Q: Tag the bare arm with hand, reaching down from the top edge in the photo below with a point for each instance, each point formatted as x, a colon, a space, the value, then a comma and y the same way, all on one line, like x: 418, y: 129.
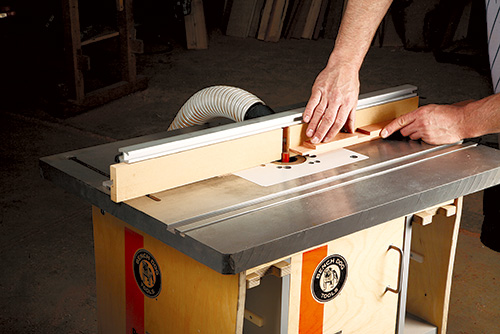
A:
x: 334, y: 94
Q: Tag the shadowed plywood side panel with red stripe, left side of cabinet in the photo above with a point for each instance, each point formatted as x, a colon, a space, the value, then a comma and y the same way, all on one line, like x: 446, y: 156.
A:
x: 192, y: 297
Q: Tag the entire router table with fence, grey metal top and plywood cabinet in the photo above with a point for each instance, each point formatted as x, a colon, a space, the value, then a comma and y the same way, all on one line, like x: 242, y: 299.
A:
x: 359, y: 238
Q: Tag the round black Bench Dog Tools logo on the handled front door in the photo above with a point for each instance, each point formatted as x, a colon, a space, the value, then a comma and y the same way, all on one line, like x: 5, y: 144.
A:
x: 329, y: 278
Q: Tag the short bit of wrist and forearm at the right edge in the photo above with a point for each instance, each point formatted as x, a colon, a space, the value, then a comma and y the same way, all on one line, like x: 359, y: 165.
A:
x: 481, y: 117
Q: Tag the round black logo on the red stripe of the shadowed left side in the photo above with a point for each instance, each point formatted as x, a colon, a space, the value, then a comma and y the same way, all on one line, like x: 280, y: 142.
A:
x: 147, y: 273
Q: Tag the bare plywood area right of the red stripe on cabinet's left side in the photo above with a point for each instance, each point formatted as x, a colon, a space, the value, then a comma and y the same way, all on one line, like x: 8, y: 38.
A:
x: 194, y: 299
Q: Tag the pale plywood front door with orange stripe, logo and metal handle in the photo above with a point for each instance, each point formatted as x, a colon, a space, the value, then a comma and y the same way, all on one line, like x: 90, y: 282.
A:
x: 340, y: 287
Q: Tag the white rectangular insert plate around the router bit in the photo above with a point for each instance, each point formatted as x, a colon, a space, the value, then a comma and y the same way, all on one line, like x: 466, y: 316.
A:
x: 271, y: 173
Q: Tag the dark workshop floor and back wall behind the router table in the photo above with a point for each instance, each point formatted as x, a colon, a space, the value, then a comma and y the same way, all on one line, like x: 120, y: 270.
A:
x: 75, y: 75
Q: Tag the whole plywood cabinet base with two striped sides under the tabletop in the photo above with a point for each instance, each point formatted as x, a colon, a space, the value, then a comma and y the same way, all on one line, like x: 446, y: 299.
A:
x: 343, y: 286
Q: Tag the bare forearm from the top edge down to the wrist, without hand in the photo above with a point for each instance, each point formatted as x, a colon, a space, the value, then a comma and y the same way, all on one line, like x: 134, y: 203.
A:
x: 359, y: 24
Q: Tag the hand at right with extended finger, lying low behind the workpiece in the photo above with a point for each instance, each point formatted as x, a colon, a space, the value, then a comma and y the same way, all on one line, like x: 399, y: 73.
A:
x: 434, y: 124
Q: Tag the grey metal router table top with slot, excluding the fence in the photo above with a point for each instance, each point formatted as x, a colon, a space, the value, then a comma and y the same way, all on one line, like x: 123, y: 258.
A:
x: 231, y: 224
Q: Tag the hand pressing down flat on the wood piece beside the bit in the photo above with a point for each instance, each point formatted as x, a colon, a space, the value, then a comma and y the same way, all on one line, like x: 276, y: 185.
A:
x: 332, y: 104
